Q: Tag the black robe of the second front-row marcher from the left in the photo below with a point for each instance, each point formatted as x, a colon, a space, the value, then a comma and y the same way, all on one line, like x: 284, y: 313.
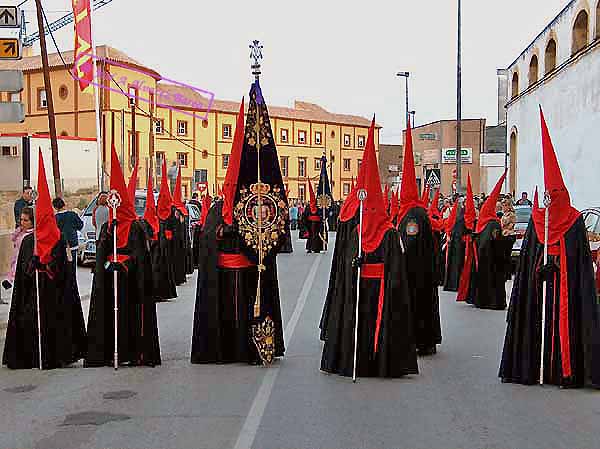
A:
x: 138, y: 327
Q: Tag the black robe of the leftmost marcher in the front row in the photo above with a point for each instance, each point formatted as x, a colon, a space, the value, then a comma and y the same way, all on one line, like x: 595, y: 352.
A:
x: 63, y: 340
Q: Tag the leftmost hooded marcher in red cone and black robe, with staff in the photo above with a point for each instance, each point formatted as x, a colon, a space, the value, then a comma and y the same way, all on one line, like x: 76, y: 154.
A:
x: 63, y: 340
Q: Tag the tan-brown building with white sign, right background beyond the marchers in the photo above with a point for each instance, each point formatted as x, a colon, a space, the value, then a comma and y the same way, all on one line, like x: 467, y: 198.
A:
x: 434, y: 146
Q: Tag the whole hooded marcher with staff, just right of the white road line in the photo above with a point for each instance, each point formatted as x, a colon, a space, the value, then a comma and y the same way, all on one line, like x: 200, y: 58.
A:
x: 386, y: 346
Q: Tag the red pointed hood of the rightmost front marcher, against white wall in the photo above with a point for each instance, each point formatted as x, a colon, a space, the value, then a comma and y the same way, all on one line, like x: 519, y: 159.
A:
x: 561, y: 215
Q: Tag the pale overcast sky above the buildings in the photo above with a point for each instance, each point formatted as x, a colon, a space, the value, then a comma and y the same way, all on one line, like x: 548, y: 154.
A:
x: 342, y: 55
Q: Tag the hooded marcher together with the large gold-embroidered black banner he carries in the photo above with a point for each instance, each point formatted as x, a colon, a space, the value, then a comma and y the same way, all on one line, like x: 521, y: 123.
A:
x: 230, y: 325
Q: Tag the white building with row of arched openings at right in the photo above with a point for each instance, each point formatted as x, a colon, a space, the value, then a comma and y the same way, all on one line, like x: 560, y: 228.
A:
x: 559, y: 70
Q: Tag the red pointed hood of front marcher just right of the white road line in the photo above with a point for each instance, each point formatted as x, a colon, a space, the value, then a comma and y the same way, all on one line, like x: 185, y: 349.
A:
x: 375, y: 219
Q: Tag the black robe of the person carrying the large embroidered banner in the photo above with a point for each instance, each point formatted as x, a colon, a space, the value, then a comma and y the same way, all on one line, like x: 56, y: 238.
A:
x: 223, y: 313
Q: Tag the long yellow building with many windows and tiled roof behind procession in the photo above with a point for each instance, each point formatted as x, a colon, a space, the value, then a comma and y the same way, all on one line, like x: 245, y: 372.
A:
x: 199, y: 140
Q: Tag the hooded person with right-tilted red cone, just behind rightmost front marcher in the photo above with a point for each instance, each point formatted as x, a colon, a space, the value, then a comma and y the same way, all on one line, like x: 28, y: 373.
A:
x: 488, y: 280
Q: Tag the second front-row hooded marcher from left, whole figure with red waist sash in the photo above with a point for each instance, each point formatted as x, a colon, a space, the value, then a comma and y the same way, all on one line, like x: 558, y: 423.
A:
x: 137, y: 326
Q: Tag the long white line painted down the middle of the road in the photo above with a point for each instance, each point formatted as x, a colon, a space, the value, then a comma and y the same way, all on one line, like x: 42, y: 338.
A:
x: 254, y: 418
